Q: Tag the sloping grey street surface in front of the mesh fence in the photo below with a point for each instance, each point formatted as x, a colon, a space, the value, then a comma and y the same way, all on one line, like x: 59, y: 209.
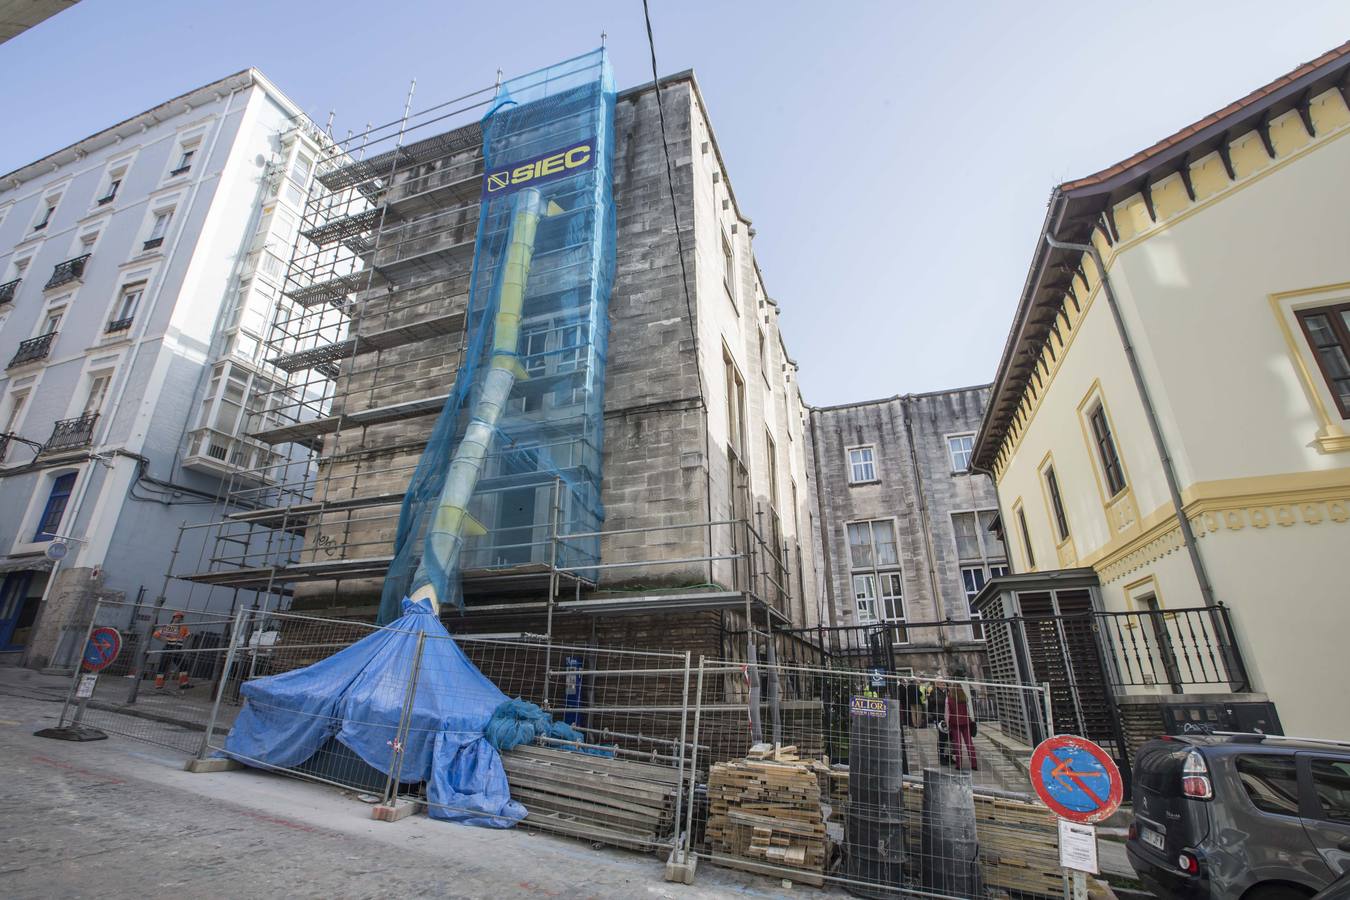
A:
x: 119, y: 818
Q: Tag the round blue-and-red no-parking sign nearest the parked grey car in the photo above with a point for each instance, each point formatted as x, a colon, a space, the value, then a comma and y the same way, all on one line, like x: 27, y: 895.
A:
x: 1077, y: 779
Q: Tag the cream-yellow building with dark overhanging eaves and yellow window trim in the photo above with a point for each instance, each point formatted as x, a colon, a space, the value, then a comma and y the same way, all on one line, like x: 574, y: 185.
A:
x: 1183, y: 342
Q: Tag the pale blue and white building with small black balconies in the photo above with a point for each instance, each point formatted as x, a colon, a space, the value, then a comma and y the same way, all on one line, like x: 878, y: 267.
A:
x: 140, y: 271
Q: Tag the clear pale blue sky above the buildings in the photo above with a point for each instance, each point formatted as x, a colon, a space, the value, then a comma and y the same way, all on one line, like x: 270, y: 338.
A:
x: 894, y: 157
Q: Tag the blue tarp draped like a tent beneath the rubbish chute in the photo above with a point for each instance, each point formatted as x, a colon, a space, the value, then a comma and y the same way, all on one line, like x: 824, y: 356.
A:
x: 357, y: 696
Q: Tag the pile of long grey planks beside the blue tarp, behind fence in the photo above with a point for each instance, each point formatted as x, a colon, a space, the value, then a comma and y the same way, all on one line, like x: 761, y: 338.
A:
x: 615, y: 802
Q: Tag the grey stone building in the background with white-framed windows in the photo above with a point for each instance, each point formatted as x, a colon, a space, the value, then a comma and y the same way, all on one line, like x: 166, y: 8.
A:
x: 905, y: 524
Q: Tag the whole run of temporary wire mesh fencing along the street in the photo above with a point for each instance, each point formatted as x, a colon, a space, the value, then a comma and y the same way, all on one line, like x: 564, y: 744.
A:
x: 855, y: 778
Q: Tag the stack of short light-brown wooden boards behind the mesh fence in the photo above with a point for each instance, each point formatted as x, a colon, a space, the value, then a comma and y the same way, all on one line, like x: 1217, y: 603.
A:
x: 765, y: 814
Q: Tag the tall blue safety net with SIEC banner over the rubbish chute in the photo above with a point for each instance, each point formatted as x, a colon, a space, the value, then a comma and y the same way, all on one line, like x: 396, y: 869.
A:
x: 518, y: 446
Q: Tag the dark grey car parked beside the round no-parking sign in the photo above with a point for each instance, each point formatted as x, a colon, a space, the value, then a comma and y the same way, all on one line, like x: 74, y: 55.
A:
x: 1241, y: 817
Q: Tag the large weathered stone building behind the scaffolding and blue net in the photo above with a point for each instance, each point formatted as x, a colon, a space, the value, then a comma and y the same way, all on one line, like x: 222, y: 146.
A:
x: 705, y: 484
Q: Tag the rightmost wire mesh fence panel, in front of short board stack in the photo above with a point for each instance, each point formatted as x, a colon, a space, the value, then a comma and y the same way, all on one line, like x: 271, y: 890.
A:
x: 878, y: 783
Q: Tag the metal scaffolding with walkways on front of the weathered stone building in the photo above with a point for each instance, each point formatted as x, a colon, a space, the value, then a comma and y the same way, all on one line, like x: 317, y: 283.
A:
x: 371, y: 333
